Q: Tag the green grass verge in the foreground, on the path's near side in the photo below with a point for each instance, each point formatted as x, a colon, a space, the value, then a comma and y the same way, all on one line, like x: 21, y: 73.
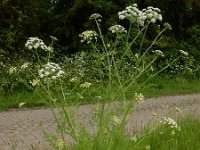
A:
x: 167, y: 134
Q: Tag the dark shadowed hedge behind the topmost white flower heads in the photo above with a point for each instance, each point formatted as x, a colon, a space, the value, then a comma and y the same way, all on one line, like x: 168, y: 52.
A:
x: 65, y: 19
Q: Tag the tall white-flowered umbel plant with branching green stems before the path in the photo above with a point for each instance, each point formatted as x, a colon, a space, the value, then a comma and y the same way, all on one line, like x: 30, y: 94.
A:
x: 115, y: 82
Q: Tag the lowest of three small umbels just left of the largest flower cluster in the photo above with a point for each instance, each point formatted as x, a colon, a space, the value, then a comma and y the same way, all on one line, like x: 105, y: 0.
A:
x: 88, y: 36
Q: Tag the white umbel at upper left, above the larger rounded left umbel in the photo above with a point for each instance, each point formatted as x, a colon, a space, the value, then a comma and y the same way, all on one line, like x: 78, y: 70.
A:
x: 35, y: 43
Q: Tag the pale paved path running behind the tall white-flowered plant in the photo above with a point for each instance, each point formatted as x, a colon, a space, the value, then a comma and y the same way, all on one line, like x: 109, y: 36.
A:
x: 23, y: 129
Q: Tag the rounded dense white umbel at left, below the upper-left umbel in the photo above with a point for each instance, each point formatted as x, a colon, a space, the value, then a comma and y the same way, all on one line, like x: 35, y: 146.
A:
x: 51, y: 71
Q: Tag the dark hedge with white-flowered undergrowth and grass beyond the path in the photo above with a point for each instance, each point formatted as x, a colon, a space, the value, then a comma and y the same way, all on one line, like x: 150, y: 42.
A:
x: 66, y: 19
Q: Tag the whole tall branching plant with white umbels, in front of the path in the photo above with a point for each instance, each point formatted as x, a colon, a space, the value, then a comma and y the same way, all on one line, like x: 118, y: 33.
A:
x: 51, y: 73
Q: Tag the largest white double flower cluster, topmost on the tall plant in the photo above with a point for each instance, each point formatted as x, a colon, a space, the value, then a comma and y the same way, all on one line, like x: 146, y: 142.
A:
x: 132, y: 13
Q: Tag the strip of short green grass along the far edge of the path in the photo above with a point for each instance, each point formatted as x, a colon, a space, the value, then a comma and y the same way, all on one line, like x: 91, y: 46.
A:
x: 156, y: 87
